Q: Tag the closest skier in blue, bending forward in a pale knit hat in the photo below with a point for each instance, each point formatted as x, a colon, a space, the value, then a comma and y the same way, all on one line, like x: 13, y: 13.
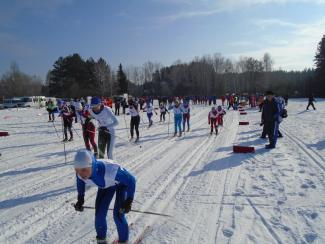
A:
x: 110, y: 178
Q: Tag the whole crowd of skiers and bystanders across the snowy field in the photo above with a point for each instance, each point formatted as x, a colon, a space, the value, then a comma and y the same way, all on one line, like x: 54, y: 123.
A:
x: 110, y: 177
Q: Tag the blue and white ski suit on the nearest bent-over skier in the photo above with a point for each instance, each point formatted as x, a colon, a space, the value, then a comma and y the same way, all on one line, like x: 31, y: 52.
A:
x: 110, y: 178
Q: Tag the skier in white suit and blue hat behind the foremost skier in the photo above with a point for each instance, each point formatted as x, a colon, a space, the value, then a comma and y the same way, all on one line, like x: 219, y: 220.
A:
x: 106, y: 132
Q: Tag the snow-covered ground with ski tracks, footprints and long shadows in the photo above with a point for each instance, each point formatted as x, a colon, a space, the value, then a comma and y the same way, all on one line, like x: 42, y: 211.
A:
x: 213, y: 195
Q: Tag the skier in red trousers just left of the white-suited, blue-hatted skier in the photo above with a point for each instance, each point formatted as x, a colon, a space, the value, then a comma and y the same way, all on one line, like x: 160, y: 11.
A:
x: 88, y: 128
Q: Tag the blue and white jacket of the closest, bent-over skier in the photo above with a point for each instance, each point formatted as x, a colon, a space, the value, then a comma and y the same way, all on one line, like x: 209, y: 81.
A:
x: 105, y: 174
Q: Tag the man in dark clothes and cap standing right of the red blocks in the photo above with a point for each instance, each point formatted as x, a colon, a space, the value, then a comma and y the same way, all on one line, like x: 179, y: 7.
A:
x: 271, y: 119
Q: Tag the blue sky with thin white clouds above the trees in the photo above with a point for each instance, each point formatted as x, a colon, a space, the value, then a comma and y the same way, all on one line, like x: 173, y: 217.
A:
x: 34, y: 33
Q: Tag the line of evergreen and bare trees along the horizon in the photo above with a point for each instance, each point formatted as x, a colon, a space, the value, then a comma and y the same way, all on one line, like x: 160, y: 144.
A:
x: 73, y: 76
